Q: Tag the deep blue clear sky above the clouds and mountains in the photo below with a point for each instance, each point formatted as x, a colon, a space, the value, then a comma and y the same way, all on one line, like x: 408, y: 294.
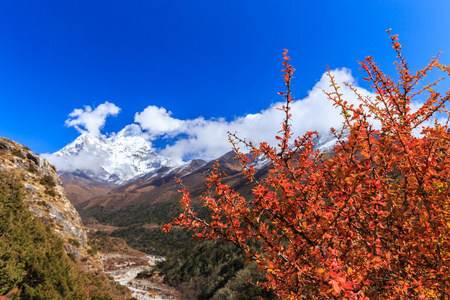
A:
x: 190, y: 61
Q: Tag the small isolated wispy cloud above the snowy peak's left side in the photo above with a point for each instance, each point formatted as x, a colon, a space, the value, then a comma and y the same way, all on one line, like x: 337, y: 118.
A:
x: 91, y: 120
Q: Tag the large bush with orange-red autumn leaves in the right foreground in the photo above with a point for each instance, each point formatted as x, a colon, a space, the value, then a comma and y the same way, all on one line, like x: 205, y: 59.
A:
x: 371, y: 222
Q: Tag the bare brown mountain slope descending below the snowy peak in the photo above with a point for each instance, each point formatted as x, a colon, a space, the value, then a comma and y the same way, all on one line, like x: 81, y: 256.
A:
x: 159, y: 189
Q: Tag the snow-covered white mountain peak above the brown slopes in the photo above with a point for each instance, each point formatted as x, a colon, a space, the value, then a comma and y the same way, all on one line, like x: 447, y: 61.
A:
x: 116, y: 159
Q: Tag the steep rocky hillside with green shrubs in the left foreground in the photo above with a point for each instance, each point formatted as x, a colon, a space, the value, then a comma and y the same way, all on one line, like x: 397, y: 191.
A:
x: 44, y: 251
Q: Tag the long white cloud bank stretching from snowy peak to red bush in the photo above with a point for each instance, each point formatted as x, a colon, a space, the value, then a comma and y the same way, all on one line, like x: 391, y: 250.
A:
x: 208, y: 139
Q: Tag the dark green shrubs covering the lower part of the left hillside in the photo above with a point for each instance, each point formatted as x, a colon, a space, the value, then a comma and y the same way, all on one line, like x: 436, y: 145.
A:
x: 33, y: 263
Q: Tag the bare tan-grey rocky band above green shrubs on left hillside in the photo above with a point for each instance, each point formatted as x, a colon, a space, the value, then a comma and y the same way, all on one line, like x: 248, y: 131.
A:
x: 45, y: 196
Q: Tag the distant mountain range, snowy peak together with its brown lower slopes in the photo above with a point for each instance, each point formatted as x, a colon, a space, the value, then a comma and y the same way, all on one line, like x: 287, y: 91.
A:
x: 112, y: 175
